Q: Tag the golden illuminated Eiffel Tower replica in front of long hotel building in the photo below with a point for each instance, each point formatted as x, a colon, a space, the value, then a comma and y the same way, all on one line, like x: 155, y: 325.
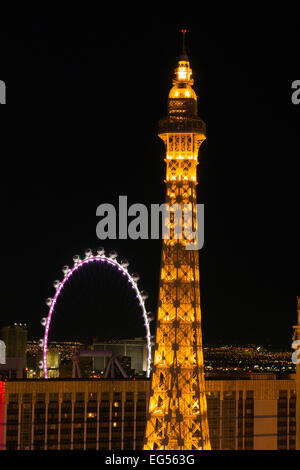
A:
x: 177, y: 414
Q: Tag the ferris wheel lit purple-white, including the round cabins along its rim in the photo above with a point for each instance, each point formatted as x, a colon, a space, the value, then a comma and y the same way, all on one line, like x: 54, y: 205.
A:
x: 81, y: 264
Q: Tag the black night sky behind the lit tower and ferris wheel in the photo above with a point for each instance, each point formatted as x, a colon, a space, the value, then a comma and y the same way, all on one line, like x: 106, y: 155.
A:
x: 85, y: 91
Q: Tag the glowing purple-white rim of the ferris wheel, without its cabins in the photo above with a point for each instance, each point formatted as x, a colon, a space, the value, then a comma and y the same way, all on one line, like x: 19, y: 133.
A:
x: 68, y: 274
